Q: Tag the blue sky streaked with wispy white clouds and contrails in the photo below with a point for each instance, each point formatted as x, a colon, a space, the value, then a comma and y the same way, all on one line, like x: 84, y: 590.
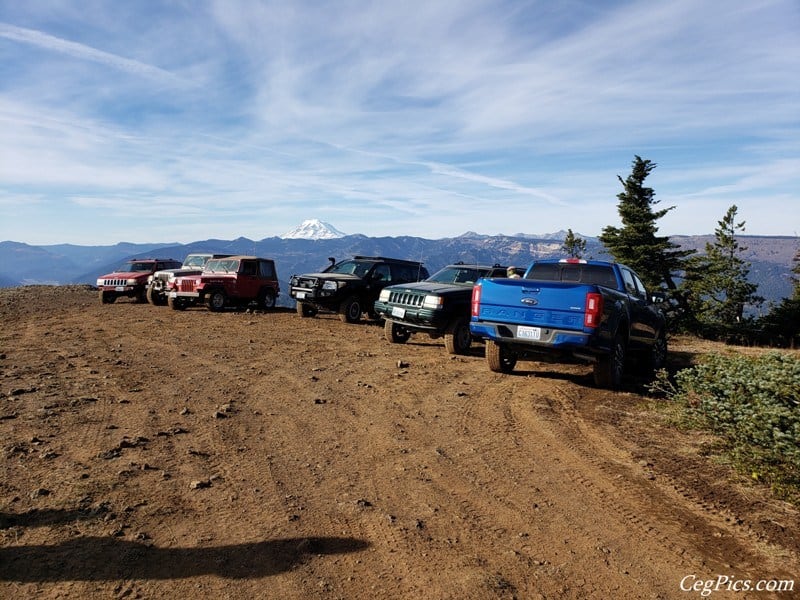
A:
x: 184, y: 120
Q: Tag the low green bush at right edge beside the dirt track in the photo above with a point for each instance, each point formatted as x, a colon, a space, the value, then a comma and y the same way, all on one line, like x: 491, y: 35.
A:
x: 753, y: 405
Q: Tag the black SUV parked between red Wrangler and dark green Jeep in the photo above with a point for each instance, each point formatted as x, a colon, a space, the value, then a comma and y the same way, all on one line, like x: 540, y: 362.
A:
x: 350, y: 287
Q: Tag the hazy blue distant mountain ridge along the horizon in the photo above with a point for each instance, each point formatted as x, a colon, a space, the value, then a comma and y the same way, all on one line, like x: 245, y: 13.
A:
x: 23, y: 264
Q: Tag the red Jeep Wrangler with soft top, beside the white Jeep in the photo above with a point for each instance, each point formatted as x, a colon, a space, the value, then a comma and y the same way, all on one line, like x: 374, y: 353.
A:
x: 231, y: 281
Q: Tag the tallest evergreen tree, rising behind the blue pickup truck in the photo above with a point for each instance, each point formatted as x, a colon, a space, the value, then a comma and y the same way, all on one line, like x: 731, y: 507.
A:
x: 655, y: 258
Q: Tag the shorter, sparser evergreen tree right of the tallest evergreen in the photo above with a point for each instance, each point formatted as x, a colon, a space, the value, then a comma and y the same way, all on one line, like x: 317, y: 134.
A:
x: 716, y: 282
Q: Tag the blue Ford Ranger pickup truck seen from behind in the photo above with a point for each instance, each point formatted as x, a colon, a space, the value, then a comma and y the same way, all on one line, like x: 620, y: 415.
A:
x: 595, y: 311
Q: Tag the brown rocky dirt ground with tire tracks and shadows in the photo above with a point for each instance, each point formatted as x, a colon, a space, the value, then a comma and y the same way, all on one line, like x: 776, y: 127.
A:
x: 148, y: 453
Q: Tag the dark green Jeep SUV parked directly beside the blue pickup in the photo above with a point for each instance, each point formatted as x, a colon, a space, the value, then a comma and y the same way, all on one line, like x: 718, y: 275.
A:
x: 438, y: 306
